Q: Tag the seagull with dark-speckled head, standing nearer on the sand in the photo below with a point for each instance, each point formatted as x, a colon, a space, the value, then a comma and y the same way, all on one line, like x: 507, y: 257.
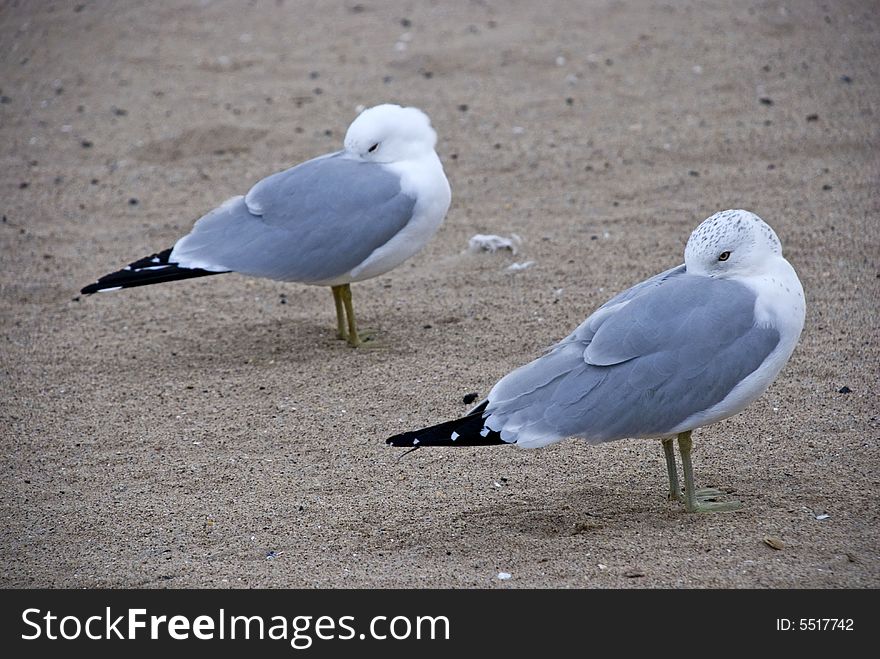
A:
x: 684, y: 349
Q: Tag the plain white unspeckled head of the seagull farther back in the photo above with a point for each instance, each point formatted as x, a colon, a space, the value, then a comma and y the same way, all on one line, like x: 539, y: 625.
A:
x: 389, y: 133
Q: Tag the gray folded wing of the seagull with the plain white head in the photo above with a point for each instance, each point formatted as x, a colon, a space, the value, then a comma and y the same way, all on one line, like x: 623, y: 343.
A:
x: 310, y: 223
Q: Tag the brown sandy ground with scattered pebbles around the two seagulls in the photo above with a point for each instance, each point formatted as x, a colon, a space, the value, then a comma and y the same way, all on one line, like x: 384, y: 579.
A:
x: 214, y: 433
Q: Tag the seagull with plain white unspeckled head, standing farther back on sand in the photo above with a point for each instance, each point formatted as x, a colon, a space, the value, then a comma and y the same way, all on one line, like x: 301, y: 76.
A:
x: 340, y: 218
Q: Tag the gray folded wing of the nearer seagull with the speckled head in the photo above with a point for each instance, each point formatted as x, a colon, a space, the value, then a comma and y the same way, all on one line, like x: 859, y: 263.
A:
x: 639, y: 367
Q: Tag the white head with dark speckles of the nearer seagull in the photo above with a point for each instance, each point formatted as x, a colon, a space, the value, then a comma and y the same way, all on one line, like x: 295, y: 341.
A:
x: 732, y: 242
